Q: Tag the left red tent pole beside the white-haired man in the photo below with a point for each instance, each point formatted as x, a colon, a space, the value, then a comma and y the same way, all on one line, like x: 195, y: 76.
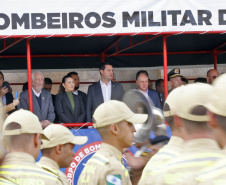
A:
x: 29, y: 75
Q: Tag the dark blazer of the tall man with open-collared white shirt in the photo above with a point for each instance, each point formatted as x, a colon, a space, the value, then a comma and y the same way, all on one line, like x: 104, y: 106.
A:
x: 95, y: 97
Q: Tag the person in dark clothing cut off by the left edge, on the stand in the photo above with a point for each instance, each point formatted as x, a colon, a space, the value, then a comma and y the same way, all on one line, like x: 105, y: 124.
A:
x: 5, y: 96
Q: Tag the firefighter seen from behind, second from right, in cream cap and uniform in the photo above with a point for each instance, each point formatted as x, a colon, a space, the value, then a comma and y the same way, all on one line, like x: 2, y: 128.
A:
x: 200, y: 148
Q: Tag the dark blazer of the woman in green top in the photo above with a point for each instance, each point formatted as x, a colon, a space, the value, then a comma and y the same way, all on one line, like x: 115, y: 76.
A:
x: 64, y: 109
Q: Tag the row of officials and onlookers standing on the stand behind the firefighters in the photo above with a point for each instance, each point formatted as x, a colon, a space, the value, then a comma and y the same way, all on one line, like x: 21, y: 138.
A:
x: 71, y: 105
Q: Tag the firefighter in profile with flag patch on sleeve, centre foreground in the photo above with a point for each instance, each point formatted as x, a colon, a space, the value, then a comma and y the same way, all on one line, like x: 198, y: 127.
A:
x: 114, y: 122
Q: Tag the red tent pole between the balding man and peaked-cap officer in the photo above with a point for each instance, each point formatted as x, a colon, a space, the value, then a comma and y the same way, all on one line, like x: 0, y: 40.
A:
x: 165, y: 66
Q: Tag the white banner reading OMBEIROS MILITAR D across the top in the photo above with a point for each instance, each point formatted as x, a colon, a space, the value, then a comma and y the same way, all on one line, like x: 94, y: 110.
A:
x: 84, y: 17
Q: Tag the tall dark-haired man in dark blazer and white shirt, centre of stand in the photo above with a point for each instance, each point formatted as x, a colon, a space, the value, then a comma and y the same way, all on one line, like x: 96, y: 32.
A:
x: 103, y: 90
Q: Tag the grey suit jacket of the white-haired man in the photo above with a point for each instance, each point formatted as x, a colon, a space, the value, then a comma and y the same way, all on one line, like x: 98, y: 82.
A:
x: 47, y: 111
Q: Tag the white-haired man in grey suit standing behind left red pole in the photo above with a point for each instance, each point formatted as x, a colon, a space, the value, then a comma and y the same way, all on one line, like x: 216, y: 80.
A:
x: 42, y: 100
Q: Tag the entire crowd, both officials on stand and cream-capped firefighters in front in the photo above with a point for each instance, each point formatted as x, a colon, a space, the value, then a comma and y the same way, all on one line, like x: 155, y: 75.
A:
x: 195, y: 113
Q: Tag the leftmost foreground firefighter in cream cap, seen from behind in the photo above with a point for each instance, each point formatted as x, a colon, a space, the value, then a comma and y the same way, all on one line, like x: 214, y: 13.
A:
x: 22, y: 134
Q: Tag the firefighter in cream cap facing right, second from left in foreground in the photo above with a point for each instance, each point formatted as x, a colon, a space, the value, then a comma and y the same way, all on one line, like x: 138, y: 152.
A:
x: 57, y: 152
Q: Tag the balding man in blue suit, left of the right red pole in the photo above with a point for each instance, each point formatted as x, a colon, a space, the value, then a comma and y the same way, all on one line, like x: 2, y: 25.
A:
x: 142, y: 85
